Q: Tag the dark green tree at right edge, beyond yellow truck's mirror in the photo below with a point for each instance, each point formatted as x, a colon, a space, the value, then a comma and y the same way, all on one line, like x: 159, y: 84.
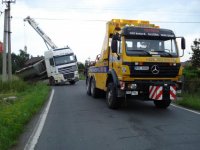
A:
x: 195, y: 59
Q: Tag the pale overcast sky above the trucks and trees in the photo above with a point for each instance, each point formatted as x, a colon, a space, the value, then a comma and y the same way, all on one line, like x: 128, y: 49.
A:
x: 81, y: 24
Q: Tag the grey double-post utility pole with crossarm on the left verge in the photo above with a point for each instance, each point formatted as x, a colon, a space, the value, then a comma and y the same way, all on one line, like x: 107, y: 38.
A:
x: 7, y: 42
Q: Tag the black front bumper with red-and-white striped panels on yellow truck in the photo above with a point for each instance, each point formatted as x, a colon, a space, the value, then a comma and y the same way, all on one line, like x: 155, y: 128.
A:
x: 142, y: 89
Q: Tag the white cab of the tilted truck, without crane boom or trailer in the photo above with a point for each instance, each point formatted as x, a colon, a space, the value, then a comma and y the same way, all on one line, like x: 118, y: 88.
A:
x: 61, y: 66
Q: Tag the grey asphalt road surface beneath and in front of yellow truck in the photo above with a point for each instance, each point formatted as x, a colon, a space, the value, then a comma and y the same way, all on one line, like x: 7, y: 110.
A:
x: 77, y: 121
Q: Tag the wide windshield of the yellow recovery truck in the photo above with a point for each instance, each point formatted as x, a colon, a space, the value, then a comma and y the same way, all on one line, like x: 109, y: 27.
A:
x: 144, y: 47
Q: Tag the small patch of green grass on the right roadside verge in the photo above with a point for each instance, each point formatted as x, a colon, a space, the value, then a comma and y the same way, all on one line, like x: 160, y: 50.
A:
x: 190, y: 101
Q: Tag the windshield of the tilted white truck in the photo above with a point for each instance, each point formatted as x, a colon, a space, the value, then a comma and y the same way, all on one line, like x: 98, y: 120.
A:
x: 65, y: 59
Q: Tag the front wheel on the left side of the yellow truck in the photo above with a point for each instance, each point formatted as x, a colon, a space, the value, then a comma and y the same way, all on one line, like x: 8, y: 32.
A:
x: 111, y: 97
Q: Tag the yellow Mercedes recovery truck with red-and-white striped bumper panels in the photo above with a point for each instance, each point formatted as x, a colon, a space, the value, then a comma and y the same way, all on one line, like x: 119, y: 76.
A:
x: 138, y: 60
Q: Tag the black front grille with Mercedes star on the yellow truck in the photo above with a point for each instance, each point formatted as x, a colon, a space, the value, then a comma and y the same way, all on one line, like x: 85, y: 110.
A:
x: 165, y: 70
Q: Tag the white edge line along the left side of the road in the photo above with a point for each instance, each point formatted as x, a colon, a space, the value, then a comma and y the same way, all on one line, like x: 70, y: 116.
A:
x: 33, y: 139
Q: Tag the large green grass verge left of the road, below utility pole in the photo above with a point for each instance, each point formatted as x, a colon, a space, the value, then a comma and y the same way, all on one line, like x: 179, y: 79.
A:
x: 15, y: 115
